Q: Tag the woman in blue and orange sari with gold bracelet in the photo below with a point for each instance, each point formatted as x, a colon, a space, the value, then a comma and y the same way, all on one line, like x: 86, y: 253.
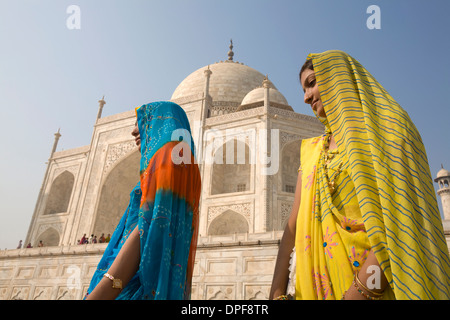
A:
x: 152, y: 251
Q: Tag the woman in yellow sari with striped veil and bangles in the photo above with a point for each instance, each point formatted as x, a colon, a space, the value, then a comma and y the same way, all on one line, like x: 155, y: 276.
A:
x: 365, y: 222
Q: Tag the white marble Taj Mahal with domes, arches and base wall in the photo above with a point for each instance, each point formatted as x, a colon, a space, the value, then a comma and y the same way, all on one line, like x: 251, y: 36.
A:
x: 248, y: 141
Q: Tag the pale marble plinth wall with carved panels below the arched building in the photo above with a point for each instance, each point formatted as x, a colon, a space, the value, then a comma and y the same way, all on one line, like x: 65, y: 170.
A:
x: 227, y: 267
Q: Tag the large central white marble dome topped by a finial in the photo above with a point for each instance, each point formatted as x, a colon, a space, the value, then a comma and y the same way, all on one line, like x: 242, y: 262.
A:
x: 230, y: 81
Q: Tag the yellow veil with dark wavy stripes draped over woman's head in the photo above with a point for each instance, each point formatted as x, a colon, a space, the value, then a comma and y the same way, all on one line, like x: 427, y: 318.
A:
x: 389, y: 168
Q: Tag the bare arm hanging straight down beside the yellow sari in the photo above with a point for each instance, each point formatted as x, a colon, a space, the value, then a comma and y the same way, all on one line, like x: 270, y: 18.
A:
x: 281, y: 273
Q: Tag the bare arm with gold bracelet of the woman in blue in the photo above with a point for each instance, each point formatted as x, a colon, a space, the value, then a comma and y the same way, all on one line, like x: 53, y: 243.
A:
x: 124, y: 268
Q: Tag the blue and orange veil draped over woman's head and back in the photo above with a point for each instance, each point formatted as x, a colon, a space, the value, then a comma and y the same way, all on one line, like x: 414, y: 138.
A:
x: 168, y: 217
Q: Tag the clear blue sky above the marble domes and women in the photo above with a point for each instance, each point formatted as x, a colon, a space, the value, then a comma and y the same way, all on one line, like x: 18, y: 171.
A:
x: 135, y: 52
